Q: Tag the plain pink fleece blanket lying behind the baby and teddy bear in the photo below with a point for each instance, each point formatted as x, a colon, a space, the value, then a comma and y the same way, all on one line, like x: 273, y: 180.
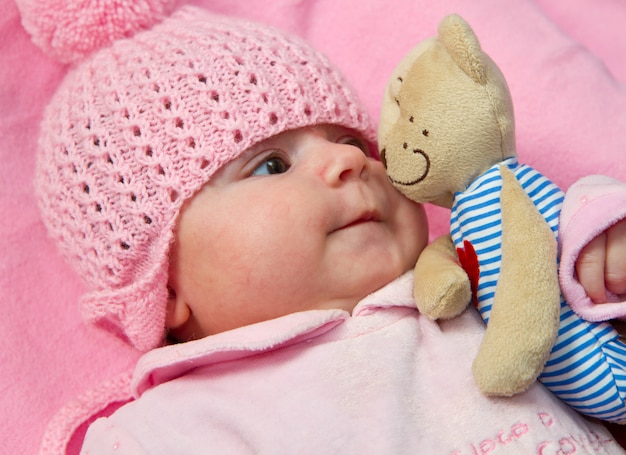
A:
x: 565, y: 61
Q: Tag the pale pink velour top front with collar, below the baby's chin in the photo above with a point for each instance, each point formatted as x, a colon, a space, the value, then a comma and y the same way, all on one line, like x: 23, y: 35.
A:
x: 384, y: 380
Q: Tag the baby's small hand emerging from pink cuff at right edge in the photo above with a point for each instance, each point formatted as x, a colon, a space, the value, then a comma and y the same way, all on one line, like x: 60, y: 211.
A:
x: 601, y: 265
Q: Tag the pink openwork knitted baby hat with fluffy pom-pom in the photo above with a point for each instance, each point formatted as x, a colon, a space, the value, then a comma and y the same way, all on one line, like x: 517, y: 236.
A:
x: 142, y: 121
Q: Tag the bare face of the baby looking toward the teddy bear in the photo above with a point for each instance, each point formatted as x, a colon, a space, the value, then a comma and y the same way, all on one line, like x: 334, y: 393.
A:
x: 304, y: 220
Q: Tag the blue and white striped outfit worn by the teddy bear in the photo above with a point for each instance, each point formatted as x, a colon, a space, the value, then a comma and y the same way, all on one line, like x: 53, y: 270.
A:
x: 587, y: 366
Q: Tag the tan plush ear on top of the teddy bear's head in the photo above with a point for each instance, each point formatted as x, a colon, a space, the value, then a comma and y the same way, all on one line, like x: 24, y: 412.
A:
x: 461, y: 43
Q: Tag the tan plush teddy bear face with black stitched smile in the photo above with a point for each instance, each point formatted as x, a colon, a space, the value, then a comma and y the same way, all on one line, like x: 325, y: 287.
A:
x: 439, y: 128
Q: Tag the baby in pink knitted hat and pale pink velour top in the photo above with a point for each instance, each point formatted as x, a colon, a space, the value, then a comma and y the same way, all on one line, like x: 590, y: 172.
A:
x: 215, y: 183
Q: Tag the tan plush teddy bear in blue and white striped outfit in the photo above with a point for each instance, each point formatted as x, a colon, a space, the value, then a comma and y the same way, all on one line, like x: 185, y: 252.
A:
x: 447, y: 137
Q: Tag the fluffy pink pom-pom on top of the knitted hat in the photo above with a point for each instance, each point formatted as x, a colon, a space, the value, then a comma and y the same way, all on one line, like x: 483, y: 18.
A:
x: 69, y: 30
